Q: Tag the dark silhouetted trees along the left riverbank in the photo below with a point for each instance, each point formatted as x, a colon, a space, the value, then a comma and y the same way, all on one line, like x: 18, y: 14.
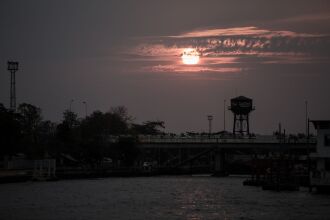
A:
x: 85, y: 139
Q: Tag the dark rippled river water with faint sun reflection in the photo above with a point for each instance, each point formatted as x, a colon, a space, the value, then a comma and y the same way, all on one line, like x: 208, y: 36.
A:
x: 158, y: 198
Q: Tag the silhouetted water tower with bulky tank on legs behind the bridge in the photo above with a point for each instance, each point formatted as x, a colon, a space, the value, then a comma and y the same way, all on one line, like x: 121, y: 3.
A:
x: 241, y: 107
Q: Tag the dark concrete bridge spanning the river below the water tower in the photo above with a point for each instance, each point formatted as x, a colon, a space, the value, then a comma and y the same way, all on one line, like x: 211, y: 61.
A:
x: 175, y: 152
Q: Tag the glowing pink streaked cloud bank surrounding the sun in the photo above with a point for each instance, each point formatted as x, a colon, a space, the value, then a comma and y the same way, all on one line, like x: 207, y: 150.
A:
x: 228, y: 50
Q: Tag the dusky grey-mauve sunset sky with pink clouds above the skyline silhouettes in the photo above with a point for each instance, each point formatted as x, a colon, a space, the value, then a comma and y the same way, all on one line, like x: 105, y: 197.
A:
x: 129, y: 52
